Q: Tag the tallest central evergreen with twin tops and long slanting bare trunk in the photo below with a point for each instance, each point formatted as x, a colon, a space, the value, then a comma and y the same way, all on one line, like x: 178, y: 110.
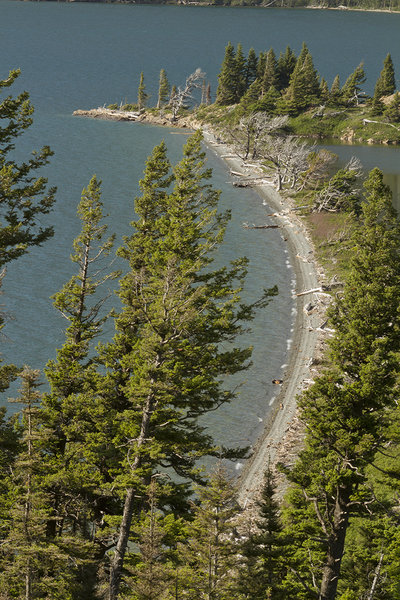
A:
x: 167, y: 355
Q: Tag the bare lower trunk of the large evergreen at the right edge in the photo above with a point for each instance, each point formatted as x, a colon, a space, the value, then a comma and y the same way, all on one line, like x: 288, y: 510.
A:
x: 331, y: 570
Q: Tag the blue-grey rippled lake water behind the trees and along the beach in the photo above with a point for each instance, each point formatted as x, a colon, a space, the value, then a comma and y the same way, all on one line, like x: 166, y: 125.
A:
x: 81, y: 55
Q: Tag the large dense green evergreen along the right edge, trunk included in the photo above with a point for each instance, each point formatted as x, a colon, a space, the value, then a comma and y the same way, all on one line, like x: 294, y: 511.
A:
x: 347, y: 410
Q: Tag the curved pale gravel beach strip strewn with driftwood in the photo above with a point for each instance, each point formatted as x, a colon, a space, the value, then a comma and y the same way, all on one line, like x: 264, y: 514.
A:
x: 280, y: 438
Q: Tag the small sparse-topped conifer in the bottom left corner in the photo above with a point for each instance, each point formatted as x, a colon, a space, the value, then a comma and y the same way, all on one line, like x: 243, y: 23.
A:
x: 34, y: 565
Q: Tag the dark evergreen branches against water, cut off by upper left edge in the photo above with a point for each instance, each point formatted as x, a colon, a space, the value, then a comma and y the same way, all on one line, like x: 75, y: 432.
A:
x: 24, y: 197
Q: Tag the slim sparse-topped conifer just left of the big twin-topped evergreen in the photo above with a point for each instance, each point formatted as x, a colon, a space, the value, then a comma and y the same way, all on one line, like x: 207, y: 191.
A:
x: 75, y: 472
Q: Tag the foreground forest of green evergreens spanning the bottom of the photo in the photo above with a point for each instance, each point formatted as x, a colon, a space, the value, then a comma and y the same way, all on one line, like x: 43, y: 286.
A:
x: 101, y: 490
